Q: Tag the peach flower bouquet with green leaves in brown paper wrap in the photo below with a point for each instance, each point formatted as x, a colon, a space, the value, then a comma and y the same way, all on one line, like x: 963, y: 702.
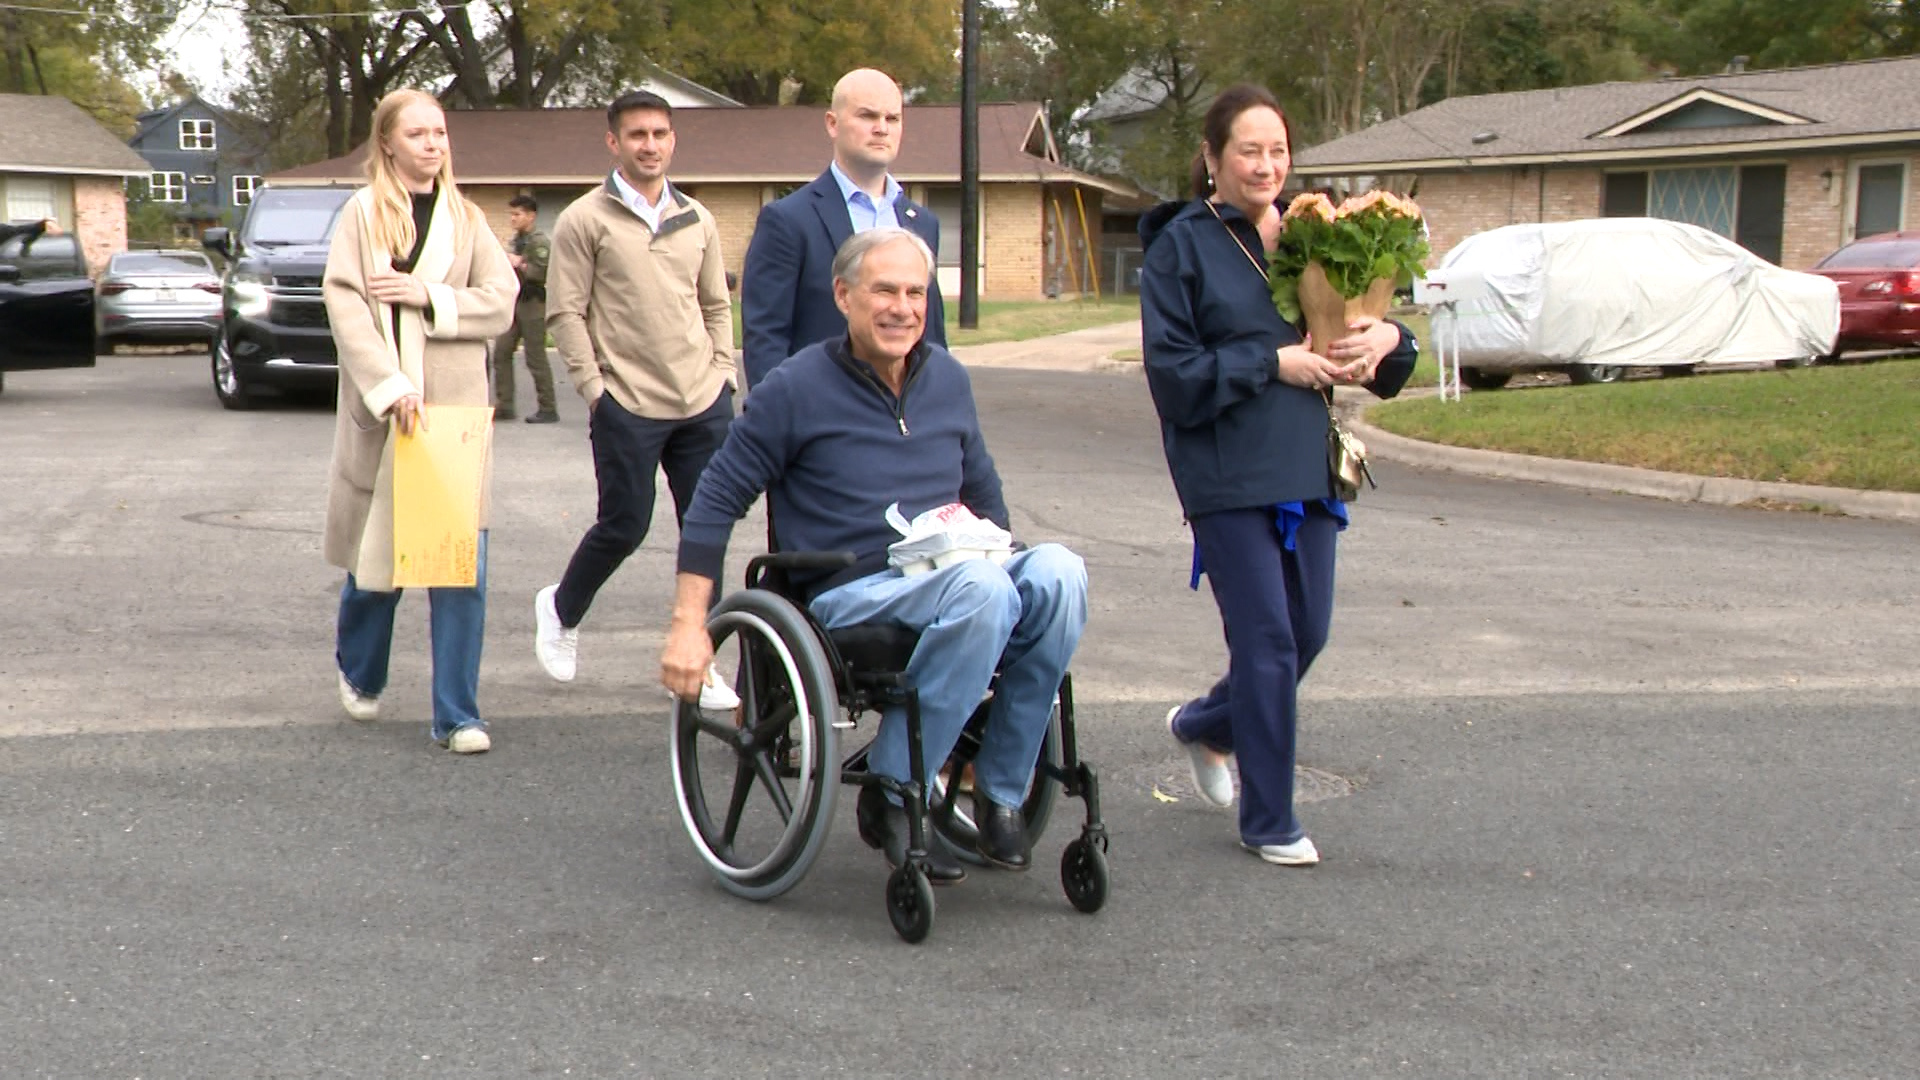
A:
x: 1337, y: 264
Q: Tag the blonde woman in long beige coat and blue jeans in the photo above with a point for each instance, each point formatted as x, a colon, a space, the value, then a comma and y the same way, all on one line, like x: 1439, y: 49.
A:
x: 416, y: 289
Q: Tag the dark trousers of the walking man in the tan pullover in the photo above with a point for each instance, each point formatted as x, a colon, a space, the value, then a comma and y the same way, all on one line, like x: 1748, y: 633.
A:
x: 629, y: 453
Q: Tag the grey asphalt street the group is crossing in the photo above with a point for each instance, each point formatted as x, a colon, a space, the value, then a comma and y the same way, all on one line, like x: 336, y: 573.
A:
x: 1606, y: 787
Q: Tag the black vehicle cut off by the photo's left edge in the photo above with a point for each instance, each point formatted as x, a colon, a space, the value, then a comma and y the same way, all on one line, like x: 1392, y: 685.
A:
x: 47, y: 305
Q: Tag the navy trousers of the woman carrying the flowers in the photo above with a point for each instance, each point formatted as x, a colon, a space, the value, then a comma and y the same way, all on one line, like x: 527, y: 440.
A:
x: 1276, y: 608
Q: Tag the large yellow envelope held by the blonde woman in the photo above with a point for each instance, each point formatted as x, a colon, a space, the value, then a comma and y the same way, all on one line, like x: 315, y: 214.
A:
x: 439, y: 474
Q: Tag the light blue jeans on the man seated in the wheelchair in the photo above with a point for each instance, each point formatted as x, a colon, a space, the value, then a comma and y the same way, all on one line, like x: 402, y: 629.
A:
x: 1024, y: 618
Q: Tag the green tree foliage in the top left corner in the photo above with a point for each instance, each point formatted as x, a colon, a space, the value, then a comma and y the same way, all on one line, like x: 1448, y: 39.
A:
x: 82, y: 59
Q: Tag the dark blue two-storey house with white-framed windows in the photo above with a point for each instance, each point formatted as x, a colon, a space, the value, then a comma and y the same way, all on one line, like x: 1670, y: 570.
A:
x: 204, y: 162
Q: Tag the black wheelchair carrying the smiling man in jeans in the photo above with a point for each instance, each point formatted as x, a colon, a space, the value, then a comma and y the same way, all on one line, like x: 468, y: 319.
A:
x: 757, y: 789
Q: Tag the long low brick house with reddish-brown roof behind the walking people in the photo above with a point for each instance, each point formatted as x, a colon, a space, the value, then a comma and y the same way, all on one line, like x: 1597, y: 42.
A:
x: 1040, y: 220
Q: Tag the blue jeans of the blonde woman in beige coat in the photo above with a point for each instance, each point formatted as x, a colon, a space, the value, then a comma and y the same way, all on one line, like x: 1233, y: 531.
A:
x: 366, y: 639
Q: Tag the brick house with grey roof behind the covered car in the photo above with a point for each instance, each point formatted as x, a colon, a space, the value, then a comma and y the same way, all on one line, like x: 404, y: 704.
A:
x: 1790, y: 164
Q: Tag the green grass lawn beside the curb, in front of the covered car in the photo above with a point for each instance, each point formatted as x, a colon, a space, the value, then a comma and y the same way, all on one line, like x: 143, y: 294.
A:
x: 1848, y: 426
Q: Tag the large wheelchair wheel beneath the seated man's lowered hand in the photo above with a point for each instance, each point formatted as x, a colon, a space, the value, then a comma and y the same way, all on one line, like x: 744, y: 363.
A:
x: 757, y: 787
